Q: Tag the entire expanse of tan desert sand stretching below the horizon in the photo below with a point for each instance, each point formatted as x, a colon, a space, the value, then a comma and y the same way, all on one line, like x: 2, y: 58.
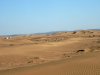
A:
x: 62, y: 53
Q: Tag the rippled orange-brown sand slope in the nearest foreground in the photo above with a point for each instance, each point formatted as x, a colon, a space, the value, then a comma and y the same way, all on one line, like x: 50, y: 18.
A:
x: 86, y: 64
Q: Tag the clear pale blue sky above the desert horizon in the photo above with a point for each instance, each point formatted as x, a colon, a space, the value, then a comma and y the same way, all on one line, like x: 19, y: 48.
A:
x: 34, y: 16
